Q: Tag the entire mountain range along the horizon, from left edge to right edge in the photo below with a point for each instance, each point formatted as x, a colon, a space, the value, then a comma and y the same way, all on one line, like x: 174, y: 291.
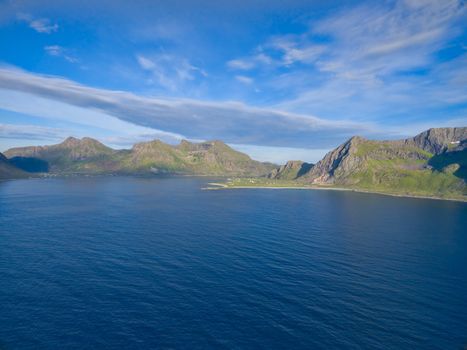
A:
x: 433, y: 163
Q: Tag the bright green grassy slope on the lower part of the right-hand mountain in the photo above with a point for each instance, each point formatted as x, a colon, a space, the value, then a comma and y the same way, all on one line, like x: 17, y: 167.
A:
x: 402, y: 169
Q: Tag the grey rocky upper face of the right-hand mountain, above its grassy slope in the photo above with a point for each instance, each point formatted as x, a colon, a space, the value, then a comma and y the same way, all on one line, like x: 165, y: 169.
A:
x: 359, y: 160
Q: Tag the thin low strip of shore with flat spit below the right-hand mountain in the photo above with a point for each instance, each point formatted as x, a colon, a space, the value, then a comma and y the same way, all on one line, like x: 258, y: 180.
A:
x: 227, y: 187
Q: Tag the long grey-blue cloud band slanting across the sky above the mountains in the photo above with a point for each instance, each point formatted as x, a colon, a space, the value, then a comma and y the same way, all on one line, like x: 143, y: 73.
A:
x: 231, y: 121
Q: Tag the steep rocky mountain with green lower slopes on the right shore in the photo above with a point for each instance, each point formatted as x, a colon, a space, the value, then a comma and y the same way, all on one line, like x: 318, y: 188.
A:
x: 433, y: 163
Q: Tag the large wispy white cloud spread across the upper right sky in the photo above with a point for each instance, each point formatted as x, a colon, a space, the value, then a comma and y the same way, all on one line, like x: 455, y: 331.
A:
x: 378, y: 61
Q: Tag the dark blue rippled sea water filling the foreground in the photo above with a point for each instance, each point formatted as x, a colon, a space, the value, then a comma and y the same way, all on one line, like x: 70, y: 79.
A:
x: 158, y: 263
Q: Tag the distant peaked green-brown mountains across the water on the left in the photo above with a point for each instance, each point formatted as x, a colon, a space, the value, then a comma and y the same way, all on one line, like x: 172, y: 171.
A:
x: 89, y: 156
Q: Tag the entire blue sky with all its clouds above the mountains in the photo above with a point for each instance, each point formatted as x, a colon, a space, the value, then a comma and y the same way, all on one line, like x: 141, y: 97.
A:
x: 278, y: 80
